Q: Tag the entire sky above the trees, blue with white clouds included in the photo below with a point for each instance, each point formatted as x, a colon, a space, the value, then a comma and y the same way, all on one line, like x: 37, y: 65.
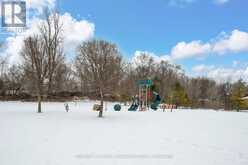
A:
x: 206, y: 37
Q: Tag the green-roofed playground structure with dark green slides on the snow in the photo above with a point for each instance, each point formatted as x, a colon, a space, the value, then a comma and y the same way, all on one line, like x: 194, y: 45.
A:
x: 143, y: 101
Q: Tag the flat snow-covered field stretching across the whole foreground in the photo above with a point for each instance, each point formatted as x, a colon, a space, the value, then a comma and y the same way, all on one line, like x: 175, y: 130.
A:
x: 183, y: 137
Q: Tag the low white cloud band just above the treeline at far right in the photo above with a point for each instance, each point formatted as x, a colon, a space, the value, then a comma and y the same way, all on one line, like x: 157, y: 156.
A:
x: 221, y: 74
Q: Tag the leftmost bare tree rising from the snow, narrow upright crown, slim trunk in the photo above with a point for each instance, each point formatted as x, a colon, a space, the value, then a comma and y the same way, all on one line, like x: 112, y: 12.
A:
x: 35, y: 63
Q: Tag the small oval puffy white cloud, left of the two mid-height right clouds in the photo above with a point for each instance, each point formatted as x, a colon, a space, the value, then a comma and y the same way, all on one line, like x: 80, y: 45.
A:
x: 186, y: 50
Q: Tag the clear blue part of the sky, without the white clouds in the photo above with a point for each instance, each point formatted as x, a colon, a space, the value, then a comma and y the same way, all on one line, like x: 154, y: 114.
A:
x: 157, y: 25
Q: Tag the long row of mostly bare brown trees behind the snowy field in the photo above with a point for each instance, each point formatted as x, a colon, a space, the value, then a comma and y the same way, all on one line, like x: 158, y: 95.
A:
x: 99, y: 71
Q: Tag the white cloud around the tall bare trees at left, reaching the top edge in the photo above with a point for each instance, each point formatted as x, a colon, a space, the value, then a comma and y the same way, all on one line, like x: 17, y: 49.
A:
x: 74, y: 31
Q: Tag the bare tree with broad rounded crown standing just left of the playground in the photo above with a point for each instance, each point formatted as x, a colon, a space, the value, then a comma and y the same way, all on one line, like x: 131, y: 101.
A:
x: 100, y: 64
